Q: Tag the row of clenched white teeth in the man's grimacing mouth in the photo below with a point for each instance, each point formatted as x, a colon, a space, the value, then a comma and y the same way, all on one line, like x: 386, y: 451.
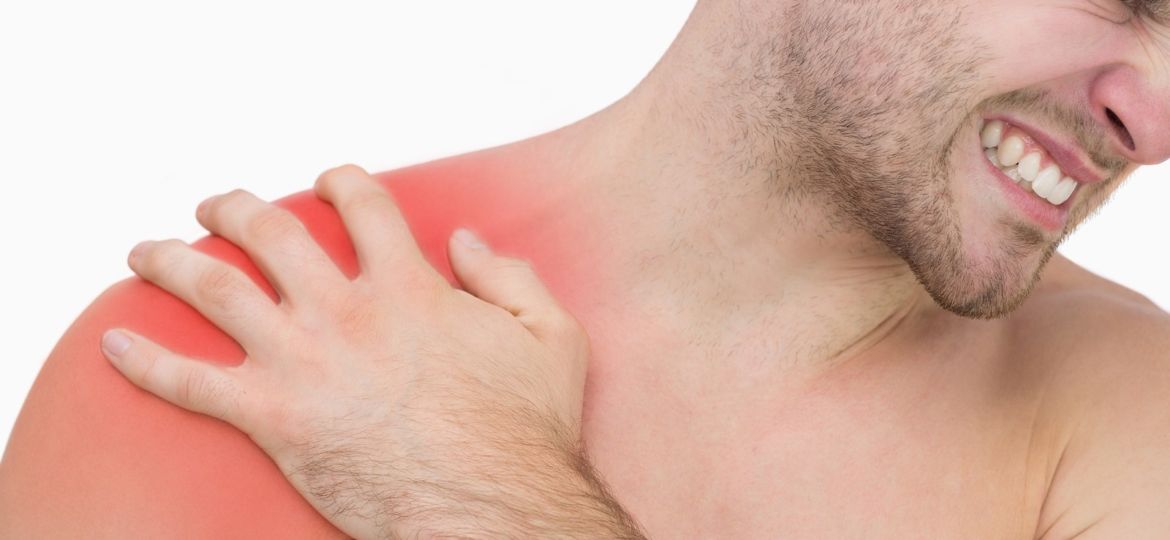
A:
x: 1013, y: 158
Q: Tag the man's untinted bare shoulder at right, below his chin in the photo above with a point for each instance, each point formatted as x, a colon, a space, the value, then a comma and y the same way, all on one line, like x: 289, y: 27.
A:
x: 1106, y: 357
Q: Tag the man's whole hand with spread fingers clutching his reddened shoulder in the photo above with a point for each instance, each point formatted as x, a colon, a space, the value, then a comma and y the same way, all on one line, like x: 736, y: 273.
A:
x: 395, y: 404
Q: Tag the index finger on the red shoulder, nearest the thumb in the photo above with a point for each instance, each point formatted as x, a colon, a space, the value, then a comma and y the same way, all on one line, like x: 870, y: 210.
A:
x: 381, y: 237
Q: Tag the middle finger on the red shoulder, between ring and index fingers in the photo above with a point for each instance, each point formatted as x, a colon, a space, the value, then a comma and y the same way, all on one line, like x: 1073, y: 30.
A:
x: 276, y: 240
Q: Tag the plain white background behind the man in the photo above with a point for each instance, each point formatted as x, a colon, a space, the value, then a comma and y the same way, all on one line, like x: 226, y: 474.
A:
x: 119, y: 117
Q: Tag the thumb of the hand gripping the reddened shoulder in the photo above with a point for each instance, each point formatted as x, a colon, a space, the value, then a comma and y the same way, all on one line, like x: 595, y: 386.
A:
x: 511, y: 283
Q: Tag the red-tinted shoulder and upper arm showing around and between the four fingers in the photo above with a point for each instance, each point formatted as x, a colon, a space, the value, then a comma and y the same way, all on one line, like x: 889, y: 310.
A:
x: 92, y: 455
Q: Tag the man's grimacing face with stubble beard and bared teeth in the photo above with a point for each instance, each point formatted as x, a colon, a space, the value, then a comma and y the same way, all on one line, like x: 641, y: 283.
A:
x: 894, y: 98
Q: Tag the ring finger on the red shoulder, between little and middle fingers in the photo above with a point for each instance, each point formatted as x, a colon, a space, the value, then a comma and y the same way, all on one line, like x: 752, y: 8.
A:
x: 218, y: 290
